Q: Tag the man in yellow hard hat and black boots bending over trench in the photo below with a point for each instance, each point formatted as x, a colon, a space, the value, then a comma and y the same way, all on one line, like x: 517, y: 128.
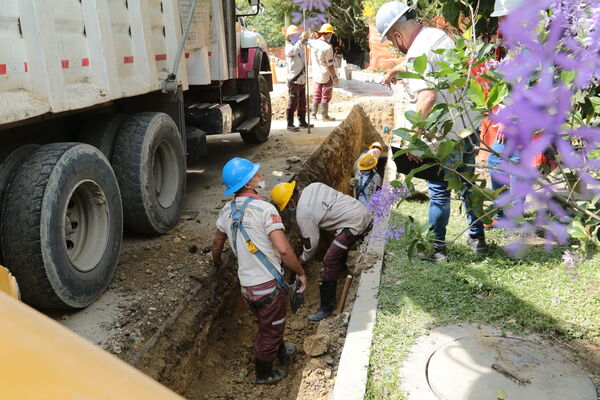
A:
x: 320, y: 207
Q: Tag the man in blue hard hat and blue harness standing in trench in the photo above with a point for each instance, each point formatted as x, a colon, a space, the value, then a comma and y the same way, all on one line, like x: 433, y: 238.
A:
x: 257, y: 236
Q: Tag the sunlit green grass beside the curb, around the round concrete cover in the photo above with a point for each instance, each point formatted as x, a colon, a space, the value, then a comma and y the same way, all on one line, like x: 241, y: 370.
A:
x: 532, y: 293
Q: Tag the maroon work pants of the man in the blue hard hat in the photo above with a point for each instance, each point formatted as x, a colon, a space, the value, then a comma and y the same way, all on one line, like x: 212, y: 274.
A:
x: 271, y: 319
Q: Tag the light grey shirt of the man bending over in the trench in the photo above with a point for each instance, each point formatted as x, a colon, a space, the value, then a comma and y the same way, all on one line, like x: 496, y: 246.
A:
x: 321, y: 207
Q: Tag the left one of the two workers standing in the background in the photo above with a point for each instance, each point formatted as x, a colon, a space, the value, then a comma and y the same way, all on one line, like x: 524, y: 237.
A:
x: 296, y: 61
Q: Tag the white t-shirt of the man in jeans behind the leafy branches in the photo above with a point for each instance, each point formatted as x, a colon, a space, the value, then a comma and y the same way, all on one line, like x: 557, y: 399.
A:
x: 428, y: 40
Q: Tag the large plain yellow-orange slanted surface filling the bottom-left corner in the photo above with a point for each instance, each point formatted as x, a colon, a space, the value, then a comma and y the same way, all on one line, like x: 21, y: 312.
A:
x: 42, y: 360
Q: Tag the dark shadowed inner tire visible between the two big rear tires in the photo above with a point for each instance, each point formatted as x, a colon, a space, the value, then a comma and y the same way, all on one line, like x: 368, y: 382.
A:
x: 101, y: 132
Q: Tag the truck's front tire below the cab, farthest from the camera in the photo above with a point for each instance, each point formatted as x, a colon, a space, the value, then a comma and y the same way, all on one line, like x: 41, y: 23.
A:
x: 259, y: 98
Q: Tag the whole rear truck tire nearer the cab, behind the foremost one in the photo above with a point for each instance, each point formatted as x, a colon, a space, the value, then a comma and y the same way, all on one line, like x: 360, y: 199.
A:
x: 149, y: 162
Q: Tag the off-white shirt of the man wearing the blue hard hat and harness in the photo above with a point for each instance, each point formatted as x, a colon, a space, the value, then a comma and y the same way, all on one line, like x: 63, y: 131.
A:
x: 260, y: 219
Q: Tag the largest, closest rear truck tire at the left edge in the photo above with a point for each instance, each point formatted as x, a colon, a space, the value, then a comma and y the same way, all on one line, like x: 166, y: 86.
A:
x: 63, y: 225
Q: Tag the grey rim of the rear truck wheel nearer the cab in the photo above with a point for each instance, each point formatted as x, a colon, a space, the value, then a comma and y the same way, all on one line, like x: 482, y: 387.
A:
x: 166, y: 174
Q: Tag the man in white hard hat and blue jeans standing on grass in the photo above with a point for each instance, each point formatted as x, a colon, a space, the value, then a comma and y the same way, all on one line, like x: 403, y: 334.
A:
x: 397, y: 22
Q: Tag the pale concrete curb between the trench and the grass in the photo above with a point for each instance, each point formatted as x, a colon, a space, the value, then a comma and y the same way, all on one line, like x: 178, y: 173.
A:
x: 351, y: 379
